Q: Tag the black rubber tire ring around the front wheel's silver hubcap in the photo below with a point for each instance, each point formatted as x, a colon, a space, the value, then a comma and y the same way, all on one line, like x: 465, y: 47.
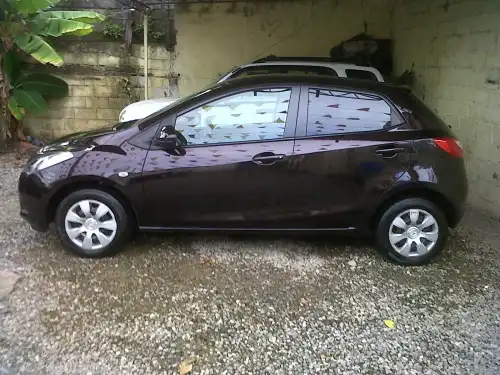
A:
x: 123, y: 222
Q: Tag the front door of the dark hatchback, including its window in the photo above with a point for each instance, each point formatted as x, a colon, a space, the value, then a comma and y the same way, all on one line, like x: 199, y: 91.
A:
x: 235, y: 172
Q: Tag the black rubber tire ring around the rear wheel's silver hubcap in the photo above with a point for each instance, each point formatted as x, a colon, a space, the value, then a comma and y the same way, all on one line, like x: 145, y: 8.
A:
x: 384, y: 226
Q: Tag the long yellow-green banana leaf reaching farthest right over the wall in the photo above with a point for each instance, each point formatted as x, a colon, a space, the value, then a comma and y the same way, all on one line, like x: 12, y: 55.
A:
x: 57, y: 27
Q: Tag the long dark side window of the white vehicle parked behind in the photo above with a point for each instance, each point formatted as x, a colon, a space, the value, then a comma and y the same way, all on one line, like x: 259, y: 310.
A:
x: 285, y: 69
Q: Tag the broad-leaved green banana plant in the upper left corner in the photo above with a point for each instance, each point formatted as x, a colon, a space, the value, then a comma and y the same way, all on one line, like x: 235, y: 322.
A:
x: 28, y: 26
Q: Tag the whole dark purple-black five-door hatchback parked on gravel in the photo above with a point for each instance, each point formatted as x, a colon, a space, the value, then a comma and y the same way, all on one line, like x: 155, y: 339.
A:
x: 263, y: 153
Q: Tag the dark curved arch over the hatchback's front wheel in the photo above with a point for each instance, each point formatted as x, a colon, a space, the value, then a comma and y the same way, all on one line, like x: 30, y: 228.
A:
x: 97, y: 183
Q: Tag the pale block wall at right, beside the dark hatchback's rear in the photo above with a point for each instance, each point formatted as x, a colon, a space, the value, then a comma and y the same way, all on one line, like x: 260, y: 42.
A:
x: 455, y: 46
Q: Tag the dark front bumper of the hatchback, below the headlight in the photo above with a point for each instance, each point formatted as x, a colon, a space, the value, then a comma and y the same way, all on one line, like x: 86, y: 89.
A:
x: 33, y: 201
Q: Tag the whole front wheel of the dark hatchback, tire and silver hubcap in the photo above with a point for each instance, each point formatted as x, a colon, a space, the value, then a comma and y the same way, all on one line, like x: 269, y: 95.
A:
x: 92, y: 223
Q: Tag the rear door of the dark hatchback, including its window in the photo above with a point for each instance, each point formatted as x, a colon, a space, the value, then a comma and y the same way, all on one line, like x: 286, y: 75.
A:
x: 350, y: 148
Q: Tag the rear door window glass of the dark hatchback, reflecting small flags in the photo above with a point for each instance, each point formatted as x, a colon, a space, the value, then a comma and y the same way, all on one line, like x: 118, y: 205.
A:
x: 337, y: 112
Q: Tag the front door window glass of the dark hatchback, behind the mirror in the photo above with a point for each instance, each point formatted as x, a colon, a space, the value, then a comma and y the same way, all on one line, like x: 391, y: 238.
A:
x: 256, y: 115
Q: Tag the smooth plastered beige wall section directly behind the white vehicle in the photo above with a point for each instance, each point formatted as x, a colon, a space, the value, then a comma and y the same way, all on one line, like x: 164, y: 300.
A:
x: 212, y: 39
